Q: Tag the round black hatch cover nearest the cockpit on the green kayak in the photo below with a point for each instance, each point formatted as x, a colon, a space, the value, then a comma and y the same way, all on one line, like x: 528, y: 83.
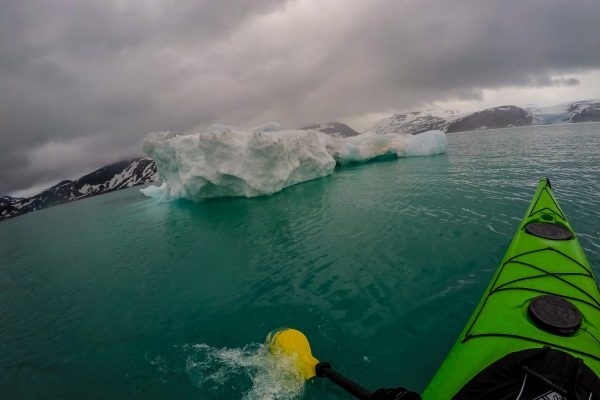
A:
x: 555, y: 315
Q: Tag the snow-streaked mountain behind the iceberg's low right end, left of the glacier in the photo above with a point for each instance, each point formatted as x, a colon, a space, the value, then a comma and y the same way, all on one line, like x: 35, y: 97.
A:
x: 453, y: 121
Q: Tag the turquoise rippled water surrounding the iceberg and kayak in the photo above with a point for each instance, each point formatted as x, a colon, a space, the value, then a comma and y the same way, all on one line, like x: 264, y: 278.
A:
x: 380, y: 264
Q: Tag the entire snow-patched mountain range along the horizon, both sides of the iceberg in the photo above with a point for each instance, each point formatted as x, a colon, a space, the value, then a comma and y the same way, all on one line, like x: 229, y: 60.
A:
x: 138, y: 171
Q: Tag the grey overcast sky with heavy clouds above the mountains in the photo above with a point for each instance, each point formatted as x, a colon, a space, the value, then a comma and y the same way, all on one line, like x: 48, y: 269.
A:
x: 82, y: 82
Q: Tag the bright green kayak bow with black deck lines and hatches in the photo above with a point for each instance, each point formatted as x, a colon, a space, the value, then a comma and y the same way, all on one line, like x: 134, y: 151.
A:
x: 543, y: 296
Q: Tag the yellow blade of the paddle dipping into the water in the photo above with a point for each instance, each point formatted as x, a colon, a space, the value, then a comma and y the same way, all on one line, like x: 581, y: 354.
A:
x: 293, y: 344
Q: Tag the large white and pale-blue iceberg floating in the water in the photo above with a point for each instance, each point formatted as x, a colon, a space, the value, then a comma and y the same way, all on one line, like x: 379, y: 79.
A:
x: 225, y: 161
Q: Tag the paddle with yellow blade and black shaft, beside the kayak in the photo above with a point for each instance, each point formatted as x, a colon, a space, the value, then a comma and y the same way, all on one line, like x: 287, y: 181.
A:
x: 293, y: 343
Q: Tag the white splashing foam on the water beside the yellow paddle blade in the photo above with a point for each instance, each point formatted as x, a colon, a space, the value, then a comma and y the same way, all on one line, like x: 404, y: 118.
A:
x: 268, y: 377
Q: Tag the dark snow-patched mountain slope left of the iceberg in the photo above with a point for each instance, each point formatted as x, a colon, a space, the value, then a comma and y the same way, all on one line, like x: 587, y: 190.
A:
x: 112, y: 177
